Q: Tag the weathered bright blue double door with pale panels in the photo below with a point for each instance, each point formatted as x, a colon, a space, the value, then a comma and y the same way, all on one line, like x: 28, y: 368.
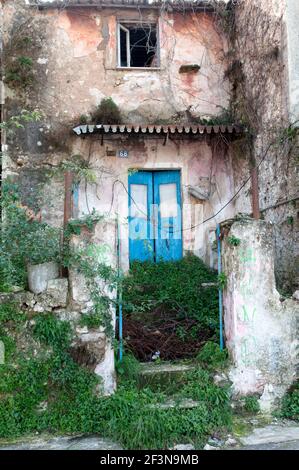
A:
x: 155, y: 216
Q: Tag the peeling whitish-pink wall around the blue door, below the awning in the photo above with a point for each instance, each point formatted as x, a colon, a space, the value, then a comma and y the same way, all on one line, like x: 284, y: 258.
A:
x: 205, y: 165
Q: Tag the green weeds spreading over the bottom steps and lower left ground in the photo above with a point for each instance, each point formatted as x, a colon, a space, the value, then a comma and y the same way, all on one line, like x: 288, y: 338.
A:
x: 49, y: 392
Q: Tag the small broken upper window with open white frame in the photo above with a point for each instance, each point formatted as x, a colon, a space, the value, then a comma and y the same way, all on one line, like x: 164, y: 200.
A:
x: 137, y: 45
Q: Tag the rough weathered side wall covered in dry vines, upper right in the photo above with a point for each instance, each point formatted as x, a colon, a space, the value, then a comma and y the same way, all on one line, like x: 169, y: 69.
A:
x: 261, y: 45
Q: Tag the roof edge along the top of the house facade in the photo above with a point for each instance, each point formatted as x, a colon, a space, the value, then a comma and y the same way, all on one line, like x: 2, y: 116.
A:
x: 178, y: 5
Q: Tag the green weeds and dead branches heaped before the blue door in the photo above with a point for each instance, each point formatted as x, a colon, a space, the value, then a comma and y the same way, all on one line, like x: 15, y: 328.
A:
x: 167, y: 310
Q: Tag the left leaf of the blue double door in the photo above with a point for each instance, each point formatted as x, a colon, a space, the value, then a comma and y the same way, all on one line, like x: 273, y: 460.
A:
x: 141, y: 243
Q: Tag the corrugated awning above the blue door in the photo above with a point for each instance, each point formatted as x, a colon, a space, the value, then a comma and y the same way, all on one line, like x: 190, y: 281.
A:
x: 194, y: 129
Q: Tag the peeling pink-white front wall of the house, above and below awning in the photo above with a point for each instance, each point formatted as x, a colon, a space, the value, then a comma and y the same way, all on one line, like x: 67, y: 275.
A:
x: 75, y: 66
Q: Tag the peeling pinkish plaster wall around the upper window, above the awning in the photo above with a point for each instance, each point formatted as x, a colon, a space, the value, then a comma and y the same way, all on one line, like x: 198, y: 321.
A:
x: 79, y: 57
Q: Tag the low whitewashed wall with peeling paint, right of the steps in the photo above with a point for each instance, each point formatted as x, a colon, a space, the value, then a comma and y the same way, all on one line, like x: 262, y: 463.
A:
x: 261, y: 329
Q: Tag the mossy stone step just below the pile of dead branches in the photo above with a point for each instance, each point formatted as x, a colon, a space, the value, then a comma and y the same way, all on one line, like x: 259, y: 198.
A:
x: 164, y: 375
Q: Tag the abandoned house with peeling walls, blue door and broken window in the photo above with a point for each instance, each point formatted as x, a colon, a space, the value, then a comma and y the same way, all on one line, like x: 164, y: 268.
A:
x: 185, y: 92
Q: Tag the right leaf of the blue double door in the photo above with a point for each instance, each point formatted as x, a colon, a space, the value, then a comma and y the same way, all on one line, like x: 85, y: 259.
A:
x: 167, y: 196
